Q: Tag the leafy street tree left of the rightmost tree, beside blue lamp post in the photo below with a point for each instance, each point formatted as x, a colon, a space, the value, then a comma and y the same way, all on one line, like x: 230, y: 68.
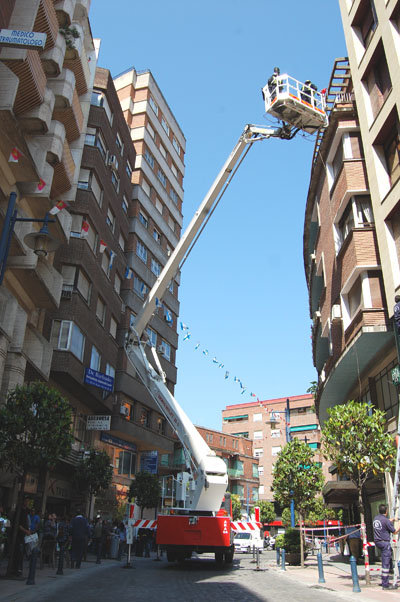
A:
x: 297, y: 477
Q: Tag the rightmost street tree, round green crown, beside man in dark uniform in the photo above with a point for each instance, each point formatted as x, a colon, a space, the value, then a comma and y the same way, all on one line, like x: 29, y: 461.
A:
x: 355, y: 439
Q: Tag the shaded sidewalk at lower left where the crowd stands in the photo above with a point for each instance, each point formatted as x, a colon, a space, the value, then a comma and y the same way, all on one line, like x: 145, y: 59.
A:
x: 14, y: 589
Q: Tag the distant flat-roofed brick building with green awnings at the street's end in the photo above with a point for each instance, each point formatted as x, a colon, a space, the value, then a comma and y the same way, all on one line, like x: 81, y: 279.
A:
x: 265, y: 424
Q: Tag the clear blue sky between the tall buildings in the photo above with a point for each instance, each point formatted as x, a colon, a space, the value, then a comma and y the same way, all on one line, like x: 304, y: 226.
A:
x: 243, y: 292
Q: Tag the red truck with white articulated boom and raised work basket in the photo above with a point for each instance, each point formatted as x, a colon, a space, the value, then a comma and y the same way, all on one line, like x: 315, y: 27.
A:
x: 193, y: 518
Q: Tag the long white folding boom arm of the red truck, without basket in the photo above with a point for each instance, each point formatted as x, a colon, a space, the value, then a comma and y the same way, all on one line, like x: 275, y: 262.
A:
x: 208, y: 479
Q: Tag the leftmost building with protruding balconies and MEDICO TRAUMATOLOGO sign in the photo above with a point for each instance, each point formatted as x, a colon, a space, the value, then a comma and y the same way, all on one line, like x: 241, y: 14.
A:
x: 44, y: 105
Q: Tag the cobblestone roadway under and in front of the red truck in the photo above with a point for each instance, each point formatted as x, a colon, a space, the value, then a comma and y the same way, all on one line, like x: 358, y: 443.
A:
x: 151, y: 581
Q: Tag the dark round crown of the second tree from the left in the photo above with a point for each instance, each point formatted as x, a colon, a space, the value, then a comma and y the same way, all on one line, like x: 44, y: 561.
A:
x: 94, y: 472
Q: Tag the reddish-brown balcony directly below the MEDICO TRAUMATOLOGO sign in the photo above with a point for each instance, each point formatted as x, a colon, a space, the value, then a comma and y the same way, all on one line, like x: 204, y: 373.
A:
x: 28, y: 68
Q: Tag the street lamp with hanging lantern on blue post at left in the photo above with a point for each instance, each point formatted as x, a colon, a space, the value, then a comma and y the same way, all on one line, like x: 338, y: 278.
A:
x: 41, y: 242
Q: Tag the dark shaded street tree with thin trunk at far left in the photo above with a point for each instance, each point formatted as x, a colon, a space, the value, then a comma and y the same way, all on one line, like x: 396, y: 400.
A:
x: 35, y: 430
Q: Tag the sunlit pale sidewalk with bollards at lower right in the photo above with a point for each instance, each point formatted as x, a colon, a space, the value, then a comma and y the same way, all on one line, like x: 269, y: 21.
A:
x: 337, y: 574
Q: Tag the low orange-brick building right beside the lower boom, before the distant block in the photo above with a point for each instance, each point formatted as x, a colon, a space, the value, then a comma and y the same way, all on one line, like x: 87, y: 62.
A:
x: 242, y: 465
